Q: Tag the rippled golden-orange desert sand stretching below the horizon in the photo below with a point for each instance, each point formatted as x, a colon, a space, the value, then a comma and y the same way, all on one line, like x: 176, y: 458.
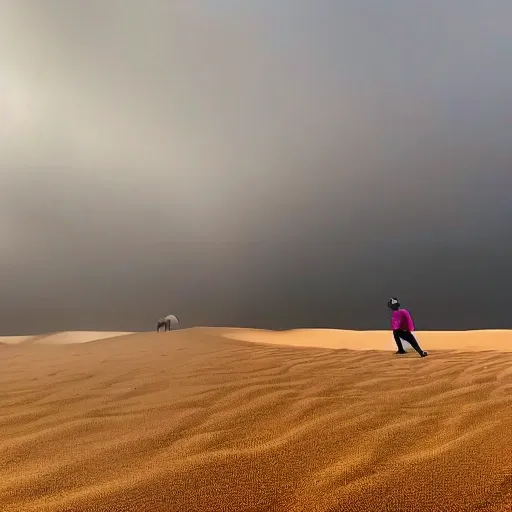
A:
x: 214, y: 420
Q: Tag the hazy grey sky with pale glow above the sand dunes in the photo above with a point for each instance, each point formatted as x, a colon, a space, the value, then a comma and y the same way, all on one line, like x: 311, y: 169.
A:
x: 277, y: 164
